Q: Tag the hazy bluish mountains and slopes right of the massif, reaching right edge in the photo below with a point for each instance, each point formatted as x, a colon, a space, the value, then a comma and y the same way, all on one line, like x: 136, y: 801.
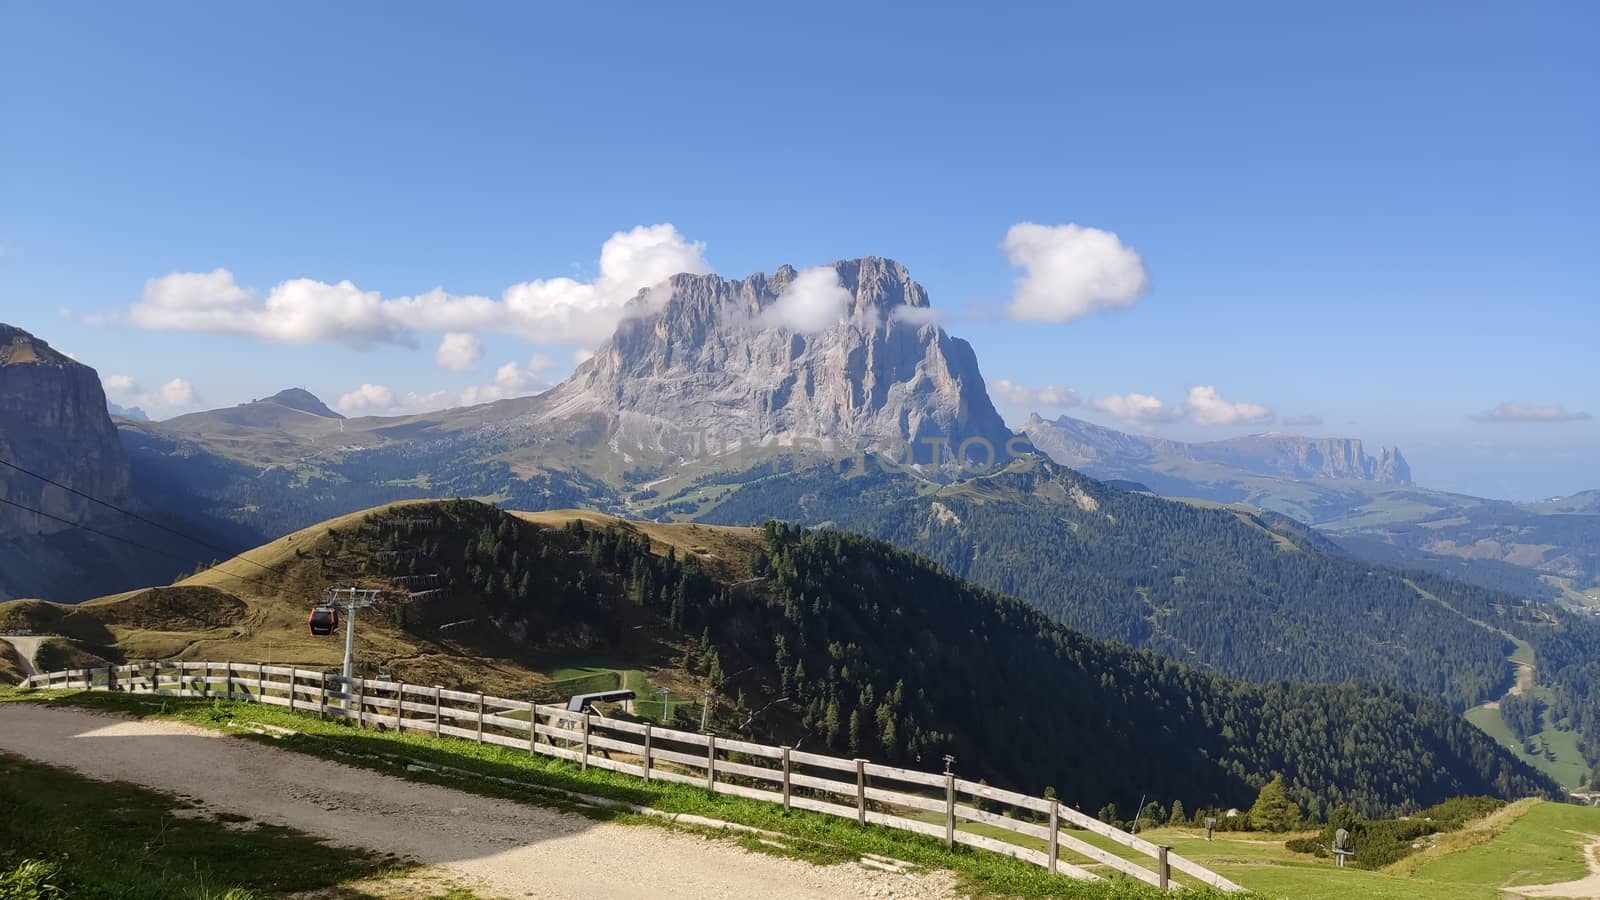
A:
x: 1369, y: 504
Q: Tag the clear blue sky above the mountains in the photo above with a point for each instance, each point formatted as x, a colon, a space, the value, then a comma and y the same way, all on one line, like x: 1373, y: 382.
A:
x: 1382, y: 219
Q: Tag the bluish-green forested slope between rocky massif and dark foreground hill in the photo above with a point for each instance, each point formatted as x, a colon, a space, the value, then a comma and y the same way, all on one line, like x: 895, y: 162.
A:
x: 1210, y: 587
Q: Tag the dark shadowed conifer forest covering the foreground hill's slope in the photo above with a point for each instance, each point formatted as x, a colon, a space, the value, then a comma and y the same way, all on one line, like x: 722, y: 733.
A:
x: 844, y: 645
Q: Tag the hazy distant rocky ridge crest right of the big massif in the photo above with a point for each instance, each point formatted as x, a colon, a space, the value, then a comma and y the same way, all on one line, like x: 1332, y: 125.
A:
x: 1082, y: 444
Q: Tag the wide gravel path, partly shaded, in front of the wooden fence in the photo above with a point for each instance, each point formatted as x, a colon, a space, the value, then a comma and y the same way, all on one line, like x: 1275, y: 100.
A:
x: 495, y: 848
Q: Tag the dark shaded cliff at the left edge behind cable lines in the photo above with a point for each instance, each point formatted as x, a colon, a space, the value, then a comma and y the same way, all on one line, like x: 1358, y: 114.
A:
x: 54, y: 422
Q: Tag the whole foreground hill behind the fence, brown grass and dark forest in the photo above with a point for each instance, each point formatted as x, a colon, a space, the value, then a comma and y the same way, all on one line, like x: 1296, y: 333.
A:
x: 820, y: 640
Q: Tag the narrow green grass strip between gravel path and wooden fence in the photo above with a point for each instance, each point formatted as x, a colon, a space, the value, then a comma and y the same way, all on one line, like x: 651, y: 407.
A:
x: 814, y: 837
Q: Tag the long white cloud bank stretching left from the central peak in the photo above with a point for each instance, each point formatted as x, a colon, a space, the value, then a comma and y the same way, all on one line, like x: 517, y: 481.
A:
x: 305, y: 310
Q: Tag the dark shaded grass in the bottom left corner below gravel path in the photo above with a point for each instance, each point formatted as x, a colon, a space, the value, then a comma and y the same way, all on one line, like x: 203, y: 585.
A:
x: 121, y: 842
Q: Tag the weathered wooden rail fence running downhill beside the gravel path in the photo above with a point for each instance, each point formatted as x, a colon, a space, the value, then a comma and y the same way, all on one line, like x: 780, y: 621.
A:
x: 934, y: 805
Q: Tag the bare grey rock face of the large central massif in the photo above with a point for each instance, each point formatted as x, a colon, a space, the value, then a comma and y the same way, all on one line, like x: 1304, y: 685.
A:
x: 711, y: 361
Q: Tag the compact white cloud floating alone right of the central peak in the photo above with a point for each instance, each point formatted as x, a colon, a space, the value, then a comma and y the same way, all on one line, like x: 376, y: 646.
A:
x: 1073, y: 271
